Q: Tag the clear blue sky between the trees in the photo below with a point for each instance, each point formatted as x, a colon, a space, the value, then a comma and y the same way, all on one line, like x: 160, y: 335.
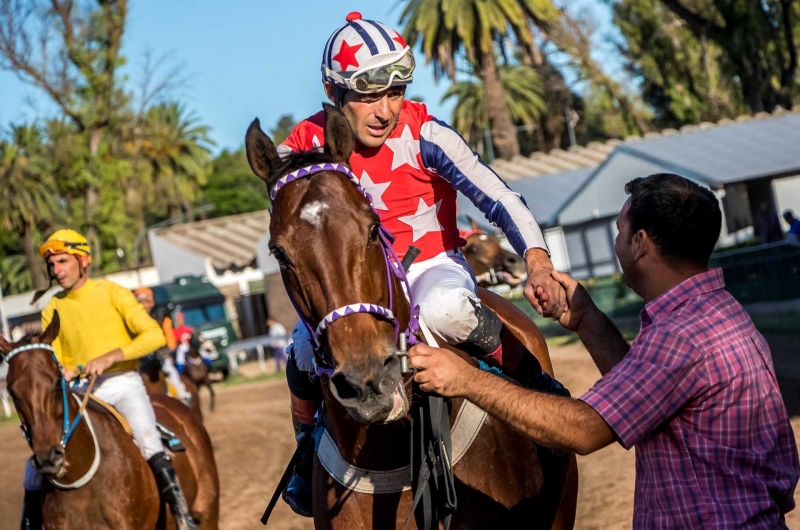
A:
x: 242, y: 58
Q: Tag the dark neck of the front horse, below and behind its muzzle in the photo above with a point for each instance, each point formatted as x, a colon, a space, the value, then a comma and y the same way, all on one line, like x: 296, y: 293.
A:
x: 380, y: 446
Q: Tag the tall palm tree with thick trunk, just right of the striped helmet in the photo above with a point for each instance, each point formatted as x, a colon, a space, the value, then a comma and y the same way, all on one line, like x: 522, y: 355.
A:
x: 447, y: 27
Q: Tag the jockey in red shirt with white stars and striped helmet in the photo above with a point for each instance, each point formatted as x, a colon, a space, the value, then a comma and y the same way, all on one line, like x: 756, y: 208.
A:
x: 413, y: 165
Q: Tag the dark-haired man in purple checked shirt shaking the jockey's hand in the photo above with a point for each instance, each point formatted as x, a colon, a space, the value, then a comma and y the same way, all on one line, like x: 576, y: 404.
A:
x: 696, y: 392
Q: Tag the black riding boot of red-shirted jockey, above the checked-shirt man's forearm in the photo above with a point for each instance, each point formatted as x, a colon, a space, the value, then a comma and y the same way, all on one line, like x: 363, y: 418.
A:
x: 488, y: 341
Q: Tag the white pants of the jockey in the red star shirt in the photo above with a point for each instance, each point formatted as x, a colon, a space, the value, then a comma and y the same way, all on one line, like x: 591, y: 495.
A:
x: 443, y: 287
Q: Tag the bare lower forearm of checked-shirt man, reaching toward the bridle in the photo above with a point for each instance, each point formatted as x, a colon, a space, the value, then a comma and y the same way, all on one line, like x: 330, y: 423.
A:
x: 552, y: 421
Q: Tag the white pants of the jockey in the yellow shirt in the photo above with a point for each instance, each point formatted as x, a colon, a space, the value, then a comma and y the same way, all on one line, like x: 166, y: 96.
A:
x: 127, y: 394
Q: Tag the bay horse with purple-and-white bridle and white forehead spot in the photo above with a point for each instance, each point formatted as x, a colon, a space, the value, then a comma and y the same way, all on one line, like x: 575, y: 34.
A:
x: 327, y: 239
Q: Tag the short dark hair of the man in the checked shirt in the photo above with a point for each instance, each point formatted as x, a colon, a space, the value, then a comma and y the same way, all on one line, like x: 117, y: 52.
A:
x: 681, y: 217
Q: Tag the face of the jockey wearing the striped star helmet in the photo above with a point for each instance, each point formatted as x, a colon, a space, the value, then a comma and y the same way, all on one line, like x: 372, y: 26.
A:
x: 372, y: 116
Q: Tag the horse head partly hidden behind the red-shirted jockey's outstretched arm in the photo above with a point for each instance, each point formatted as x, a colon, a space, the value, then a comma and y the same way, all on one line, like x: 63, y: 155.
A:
x: 492, y: 264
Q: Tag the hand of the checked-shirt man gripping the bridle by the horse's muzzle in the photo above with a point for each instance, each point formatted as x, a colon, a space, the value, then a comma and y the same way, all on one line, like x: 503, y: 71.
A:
x: 440, y: 370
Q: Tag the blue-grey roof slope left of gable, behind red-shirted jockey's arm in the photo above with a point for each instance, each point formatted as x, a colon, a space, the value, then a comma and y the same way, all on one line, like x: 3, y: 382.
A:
x: 544, y: 195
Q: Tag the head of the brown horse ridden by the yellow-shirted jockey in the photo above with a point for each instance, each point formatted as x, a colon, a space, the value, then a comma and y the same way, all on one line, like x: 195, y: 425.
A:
x: 34, y: 383
